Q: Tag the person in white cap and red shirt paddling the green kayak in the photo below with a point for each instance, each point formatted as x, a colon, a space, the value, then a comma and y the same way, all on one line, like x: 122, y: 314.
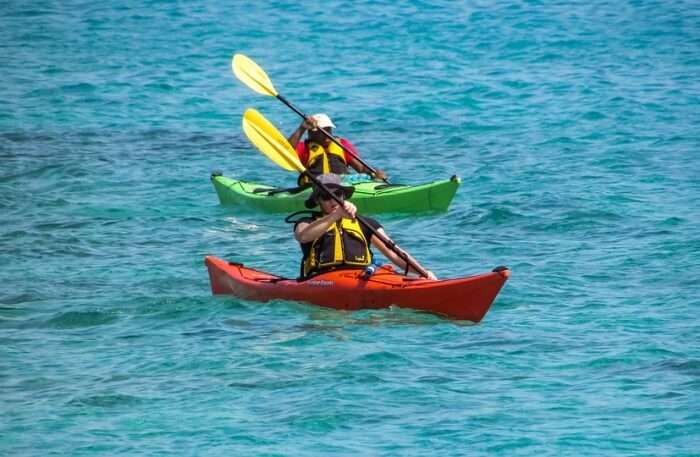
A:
x: 320, y: 155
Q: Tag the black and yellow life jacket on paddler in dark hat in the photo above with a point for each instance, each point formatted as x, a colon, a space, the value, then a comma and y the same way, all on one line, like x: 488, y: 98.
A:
x: 343, y: 244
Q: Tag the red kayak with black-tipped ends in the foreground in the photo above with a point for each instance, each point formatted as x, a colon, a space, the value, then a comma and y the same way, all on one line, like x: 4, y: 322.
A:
x: 466, y: 298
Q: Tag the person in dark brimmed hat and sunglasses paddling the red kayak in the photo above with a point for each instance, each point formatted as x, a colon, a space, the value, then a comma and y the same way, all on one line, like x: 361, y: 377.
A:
x: 334, y: 238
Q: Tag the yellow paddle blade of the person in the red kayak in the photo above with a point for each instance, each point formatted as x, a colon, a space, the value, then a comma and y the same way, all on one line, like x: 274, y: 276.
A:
x: 270, y: 141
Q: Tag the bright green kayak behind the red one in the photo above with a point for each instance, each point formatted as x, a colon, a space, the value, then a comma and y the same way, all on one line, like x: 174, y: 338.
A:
x: 369, y: 197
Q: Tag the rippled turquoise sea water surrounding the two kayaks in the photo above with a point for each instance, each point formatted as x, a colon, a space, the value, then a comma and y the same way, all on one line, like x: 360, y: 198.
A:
x: 573, y: 125
